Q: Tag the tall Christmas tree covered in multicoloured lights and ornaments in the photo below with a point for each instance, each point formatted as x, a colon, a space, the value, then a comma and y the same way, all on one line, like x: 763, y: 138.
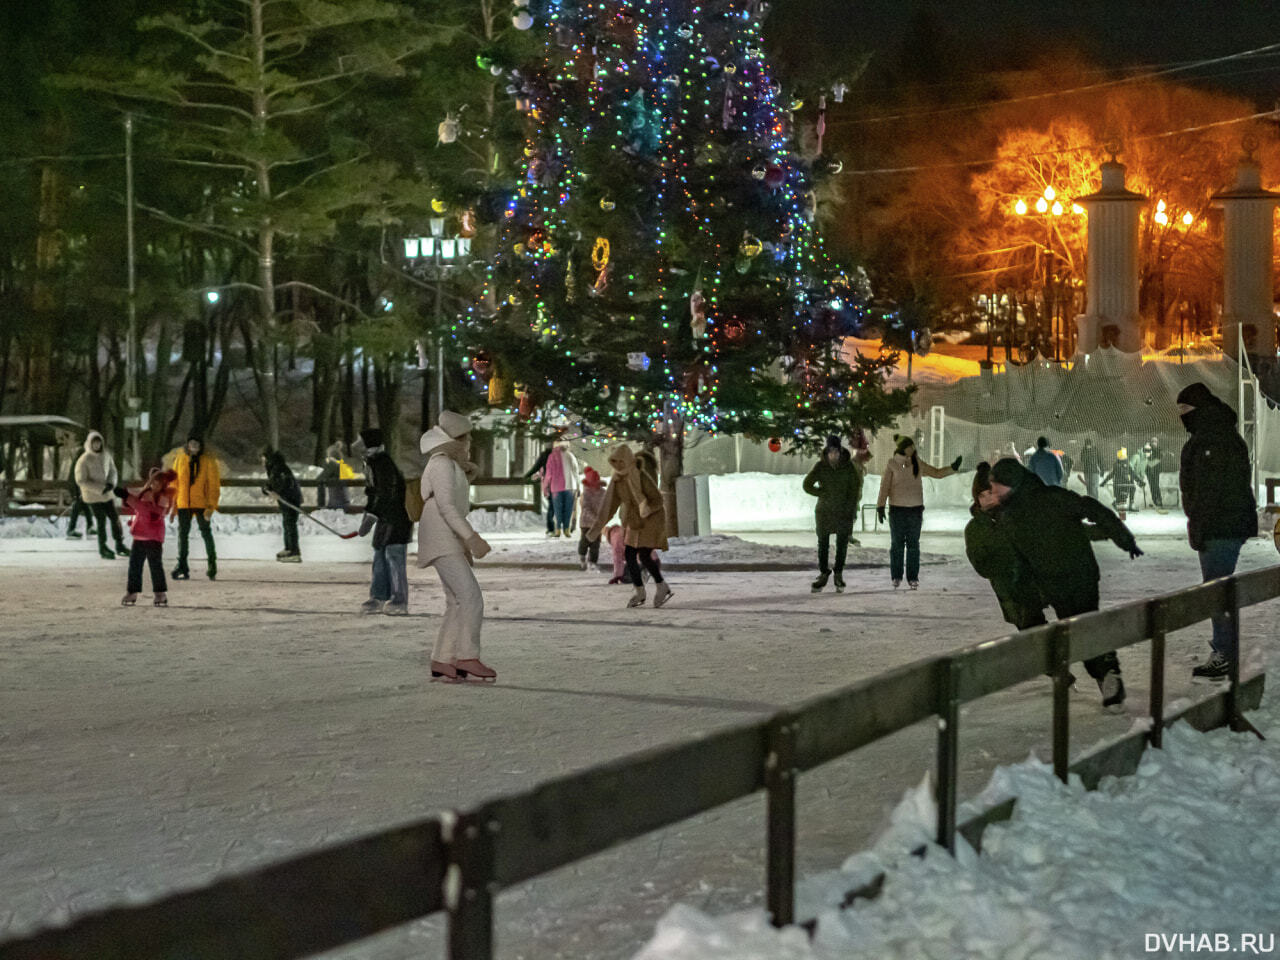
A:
x: 660, y: 269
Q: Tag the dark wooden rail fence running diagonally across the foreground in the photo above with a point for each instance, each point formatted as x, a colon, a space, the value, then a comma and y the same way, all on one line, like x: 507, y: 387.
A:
x: 460, y: 861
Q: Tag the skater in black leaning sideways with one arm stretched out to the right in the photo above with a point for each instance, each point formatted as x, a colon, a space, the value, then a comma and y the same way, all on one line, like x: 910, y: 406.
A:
x: 1052, y: 529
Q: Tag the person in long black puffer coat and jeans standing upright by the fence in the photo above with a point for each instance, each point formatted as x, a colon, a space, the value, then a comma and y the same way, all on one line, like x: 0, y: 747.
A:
x: 1217, y: 483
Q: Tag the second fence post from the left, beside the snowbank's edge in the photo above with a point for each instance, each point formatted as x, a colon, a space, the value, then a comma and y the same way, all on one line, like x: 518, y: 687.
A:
x: 780, y: 797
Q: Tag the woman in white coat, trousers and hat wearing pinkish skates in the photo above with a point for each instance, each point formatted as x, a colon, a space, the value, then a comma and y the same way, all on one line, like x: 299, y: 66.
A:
x: 447, y: 542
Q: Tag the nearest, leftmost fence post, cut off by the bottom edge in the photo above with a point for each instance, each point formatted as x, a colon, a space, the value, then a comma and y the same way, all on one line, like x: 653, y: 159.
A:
x: 469, y: 884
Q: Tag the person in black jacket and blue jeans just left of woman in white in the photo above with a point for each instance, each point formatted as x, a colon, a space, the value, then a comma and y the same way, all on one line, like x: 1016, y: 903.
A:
x: 386, y: 513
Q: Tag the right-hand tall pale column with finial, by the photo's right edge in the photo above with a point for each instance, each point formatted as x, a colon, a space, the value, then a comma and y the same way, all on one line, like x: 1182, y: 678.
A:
x: 1247, y: 243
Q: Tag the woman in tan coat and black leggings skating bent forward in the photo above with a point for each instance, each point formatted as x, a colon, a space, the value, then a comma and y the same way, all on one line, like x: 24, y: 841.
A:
x: 644, y: 522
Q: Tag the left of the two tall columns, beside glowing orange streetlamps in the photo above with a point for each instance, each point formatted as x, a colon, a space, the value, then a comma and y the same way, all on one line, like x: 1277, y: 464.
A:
x: 1110, y: 316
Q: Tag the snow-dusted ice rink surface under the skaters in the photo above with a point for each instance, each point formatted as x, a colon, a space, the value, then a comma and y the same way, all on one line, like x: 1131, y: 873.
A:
x: 148, y: 751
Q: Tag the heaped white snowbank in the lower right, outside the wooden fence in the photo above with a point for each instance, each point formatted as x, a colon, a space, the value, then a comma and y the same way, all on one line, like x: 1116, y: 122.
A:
x: 1186, y: 847
